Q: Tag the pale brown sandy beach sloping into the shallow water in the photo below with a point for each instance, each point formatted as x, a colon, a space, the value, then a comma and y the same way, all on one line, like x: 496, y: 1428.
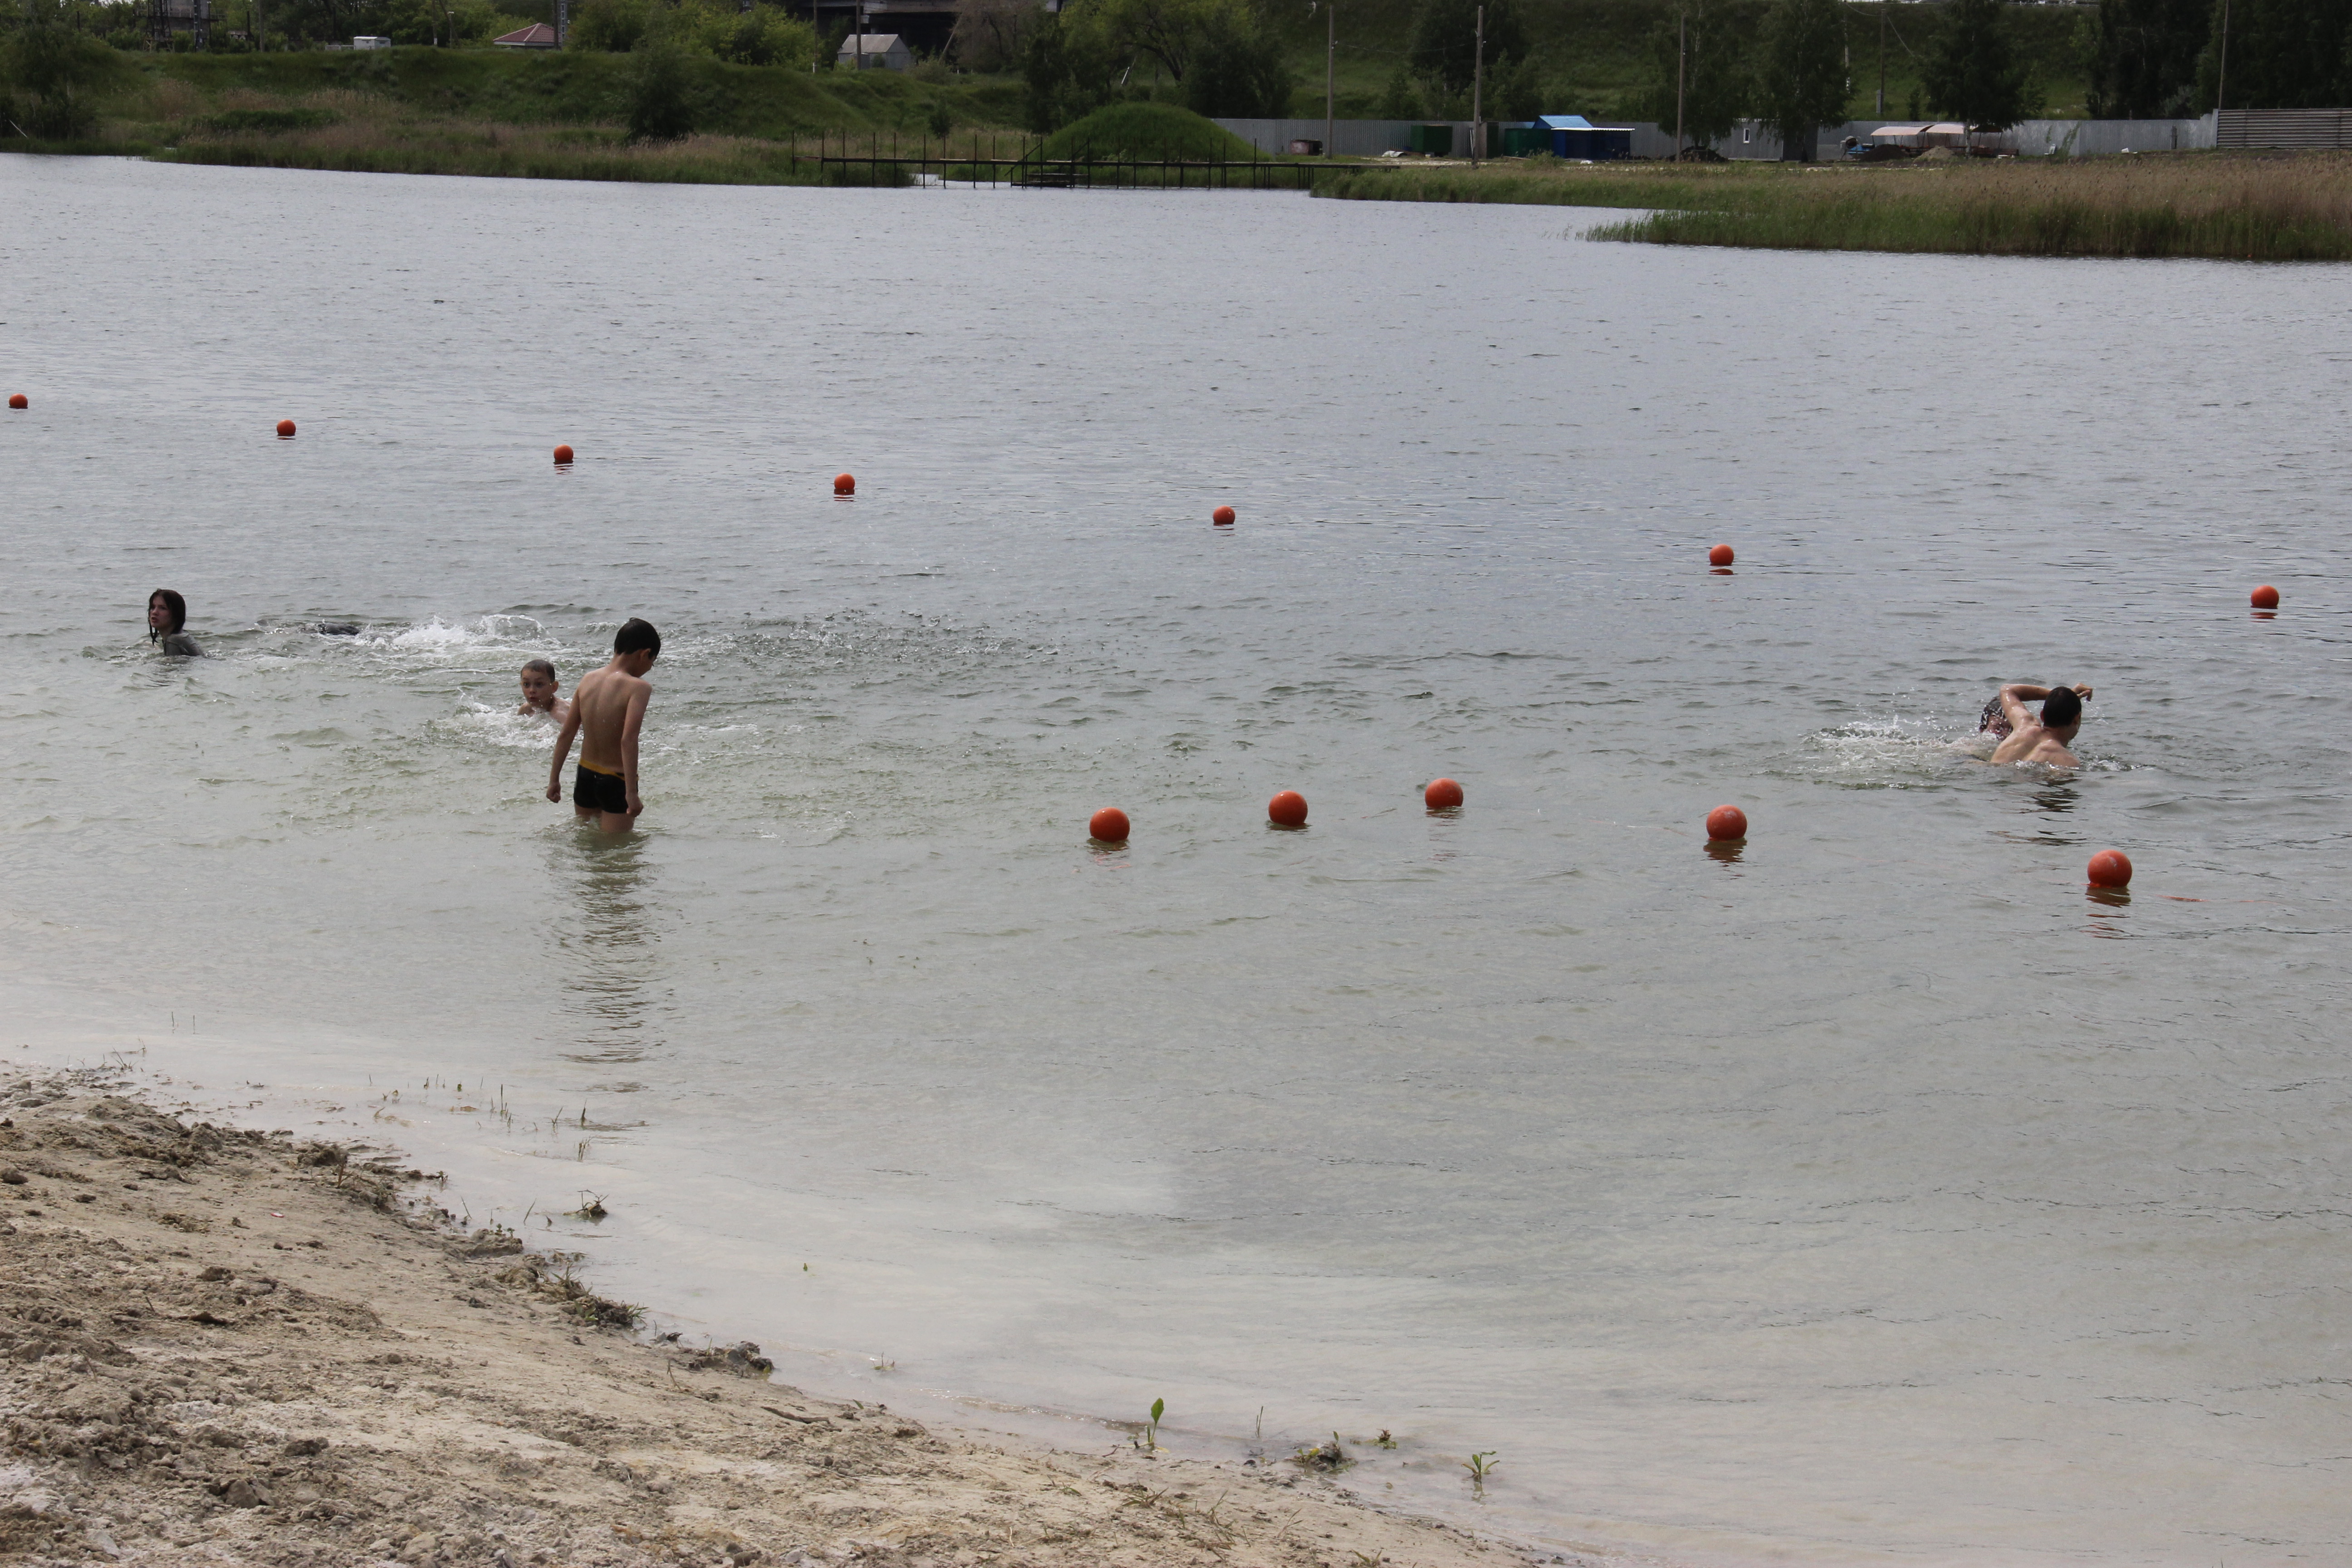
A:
x: 232, y: 1348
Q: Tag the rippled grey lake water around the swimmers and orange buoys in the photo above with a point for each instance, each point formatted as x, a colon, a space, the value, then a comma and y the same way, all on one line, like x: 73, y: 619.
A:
x: 1871, y: 1195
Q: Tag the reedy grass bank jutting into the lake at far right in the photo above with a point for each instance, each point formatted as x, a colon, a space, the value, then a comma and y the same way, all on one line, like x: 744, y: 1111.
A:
x: 2243, y: 208
